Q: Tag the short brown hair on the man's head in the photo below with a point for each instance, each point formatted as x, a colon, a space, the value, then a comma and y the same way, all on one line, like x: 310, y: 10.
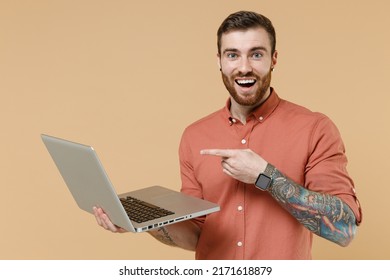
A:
x: 244, y: 20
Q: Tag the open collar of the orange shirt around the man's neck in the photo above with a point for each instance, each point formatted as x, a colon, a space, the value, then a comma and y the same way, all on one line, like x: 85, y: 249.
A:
x: 262, y: 112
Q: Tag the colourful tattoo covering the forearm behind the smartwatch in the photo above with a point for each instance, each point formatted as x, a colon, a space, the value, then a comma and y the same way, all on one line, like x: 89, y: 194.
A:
x: 323, y: 214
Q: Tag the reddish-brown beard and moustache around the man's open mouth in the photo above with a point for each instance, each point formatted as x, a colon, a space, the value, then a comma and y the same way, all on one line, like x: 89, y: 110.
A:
x: 250, y: 99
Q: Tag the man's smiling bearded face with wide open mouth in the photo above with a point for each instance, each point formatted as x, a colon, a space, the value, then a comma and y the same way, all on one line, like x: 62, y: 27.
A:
x: 246, y: 62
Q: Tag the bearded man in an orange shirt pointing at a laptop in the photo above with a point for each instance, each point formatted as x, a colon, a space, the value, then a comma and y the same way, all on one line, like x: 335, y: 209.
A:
x: 277, y: 169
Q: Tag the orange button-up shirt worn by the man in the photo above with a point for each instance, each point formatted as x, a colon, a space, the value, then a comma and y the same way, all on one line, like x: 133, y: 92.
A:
x: 303, y: 145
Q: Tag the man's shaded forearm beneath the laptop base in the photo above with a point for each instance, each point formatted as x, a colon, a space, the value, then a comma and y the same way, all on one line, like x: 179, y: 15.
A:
x: 184, y: 235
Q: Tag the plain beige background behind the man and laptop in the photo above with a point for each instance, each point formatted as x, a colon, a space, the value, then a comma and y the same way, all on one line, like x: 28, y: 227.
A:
x: 128, y: 76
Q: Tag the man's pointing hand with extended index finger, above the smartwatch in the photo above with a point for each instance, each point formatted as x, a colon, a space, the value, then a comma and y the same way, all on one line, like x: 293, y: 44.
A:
x: 243, y: 165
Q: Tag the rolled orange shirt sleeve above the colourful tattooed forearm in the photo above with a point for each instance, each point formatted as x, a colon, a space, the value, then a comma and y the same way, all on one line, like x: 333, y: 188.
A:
x: 326, y: 170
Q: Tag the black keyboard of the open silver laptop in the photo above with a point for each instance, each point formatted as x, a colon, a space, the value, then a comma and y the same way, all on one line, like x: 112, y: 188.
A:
x: 141, y: 211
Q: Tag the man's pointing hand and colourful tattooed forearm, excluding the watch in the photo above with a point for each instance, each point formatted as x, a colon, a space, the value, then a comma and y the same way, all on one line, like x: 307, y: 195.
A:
x: 325, y: 215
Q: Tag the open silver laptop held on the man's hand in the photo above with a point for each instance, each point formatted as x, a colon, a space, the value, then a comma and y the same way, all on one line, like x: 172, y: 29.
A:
x: 90, y: 186
